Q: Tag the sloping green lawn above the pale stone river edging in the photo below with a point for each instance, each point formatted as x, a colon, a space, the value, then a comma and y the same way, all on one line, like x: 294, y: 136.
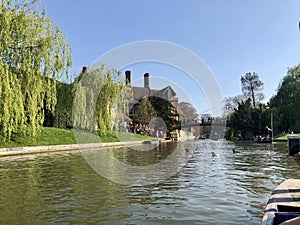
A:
x: 56, y: 136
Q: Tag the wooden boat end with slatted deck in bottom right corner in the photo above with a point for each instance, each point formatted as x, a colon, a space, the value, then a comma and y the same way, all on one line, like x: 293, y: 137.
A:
x: 283, y: 207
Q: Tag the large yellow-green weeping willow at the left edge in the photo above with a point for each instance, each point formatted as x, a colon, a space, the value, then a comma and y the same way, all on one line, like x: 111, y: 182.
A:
x: 34, y: 53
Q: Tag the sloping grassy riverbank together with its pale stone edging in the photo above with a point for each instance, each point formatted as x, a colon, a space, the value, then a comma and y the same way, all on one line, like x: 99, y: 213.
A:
x: 54, y: 139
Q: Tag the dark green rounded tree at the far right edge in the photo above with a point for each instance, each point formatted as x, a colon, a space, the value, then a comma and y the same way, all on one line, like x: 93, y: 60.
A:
x: 286, y: 103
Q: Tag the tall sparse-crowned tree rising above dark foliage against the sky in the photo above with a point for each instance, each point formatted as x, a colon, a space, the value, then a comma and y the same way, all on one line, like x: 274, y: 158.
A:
x: 251, y: 85
